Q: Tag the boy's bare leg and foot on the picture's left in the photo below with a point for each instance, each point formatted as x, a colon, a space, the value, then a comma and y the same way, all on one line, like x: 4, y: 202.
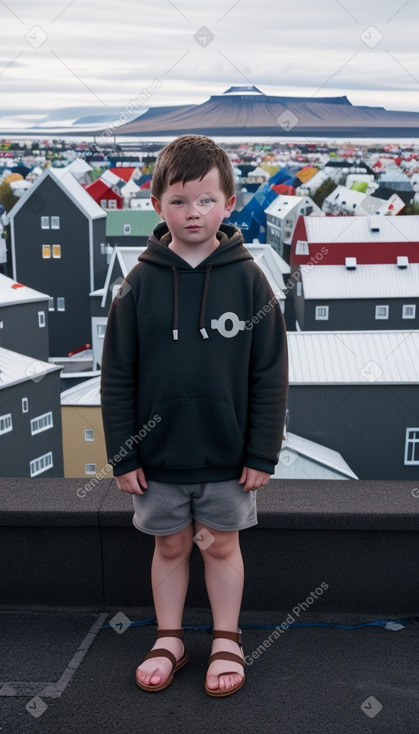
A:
x: 169, y: 578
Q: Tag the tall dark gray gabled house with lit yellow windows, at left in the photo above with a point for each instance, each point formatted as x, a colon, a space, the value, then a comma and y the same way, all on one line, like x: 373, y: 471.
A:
x: 58, y: 238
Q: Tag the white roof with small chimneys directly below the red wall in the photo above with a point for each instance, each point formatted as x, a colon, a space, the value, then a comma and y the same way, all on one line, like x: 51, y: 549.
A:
x: 365, y: 281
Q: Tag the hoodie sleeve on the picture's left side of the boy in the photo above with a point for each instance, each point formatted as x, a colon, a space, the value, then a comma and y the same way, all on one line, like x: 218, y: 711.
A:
x: 118, y: 384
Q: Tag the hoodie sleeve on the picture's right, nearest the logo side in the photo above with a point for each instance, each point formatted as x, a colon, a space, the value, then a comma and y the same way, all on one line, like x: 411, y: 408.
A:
x: 268, y: 381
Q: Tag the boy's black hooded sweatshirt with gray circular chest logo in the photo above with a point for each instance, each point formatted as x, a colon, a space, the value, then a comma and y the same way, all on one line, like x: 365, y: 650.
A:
x: 194, y: 368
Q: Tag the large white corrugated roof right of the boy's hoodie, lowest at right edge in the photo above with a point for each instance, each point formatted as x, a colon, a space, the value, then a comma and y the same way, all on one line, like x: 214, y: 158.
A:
x: 356, y: 357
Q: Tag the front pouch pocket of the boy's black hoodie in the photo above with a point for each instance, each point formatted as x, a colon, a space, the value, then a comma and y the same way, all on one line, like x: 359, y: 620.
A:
x: 192, y: 434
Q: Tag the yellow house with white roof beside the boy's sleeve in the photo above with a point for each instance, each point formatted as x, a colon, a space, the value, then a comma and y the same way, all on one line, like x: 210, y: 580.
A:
x: 83, y: 439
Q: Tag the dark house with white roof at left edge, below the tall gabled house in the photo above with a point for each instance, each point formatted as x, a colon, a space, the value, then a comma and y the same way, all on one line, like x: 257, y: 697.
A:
x: 23, y: 319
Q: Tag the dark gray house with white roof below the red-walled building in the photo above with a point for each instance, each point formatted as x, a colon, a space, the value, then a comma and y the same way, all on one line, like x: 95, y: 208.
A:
x: 357, y: 297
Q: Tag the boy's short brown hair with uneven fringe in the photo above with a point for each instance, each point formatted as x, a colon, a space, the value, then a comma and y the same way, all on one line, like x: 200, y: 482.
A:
x: 188, y: 158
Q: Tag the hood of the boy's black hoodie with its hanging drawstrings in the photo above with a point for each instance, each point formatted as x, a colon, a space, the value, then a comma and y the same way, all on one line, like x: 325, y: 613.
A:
x: 231, y: 250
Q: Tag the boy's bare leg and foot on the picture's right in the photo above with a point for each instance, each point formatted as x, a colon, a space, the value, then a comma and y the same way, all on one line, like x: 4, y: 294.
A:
x: 224, y: 577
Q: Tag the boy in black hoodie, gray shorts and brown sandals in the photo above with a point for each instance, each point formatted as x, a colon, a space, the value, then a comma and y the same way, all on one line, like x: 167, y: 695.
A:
x: 194, y: 388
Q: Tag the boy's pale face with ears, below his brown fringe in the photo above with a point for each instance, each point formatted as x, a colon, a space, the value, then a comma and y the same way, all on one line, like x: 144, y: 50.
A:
x: 193, y: 212
